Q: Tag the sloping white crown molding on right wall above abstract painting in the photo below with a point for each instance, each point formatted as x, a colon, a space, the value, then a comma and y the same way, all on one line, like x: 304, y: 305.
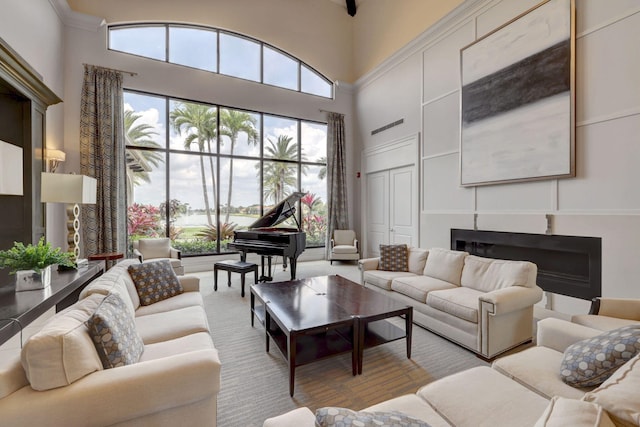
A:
x: 450, y: 22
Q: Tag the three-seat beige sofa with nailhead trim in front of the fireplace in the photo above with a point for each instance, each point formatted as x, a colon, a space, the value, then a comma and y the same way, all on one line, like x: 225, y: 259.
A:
x: 483, y: 304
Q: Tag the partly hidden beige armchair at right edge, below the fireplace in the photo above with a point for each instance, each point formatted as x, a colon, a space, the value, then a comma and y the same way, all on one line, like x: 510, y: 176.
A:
x: 610, y: 313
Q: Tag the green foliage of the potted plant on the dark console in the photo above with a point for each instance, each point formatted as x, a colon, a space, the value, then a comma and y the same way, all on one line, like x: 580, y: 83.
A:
x: 34, y: 257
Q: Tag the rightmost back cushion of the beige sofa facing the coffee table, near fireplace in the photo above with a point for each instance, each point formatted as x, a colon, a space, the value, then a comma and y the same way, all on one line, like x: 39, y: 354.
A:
x: 486, y: 274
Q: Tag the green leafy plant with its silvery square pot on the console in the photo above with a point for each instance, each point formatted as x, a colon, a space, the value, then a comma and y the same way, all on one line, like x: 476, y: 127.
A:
x: 32, y: 263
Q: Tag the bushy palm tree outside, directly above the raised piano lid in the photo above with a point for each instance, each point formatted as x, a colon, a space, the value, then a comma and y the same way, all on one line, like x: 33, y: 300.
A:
x: 279, y: 177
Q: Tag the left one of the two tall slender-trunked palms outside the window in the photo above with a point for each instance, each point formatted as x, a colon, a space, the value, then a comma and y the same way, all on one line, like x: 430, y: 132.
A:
x: 199, y: 123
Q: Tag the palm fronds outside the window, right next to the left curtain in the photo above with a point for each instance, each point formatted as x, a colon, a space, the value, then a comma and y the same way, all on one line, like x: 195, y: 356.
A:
x: 139, y: 162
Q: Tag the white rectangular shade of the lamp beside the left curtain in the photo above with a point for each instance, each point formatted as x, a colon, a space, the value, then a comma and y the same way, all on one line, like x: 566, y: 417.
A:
x: 68, y: 188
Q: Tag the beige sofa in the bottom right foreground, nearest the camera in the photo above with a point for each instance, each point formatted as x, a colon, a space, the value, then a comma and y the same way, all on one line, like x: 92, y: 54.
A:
x: 523, y: 389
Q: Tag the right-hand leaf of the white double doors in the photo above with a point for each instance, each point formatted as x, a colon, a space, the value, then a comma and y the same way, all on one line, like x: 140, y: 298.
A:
x: 403, y: 198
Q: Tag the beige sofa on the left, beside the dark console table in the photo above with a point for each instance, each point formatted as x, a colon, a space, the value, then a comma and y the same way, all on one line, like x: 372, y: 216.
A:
x: 59, y: 379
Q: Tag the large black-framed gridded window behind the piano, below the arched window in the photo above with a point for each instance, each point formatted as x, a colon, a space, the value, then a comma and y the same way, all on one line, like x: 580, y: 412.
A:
x: 197, y: 172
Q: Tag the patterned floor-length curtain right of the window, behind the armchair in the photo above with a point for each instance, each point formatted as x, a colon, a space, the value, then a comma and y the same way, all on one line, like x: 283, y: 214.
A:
x: 338, y: 215
